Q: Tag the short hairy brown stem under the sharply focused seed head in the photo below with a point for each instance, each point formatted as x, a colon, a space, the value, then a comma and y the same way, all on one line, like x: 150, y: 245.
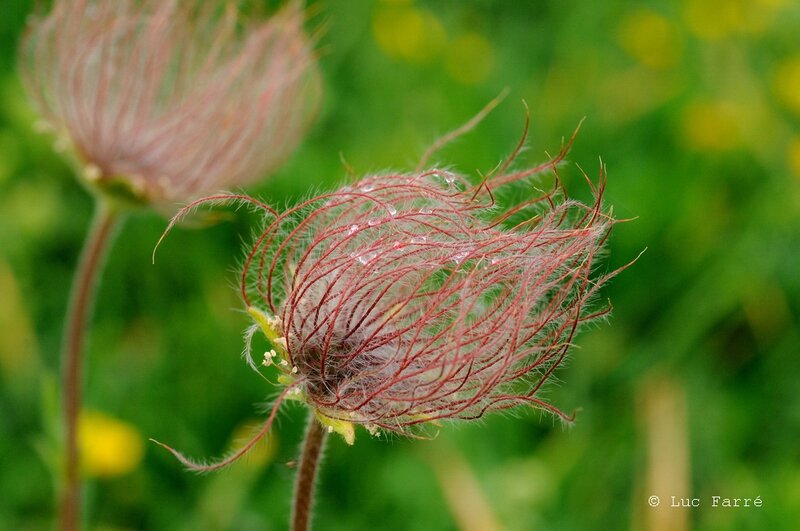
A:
x: 313, y: 444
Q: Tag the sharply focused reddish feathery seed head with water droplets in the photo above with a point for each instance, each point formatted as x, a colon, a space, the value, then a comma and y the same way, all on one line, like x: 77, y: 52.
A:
x: 406, y: 299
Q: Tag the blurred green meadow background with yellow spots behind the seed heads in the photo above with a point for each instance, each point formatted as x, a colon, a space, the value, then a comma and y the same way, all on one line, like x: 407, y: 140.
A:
x: 691, y: 390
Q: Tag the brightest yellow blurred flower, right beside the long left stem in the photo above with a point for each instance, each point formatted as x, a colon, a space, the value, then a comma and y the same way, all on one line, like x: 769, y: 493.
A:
x: 109, y: 447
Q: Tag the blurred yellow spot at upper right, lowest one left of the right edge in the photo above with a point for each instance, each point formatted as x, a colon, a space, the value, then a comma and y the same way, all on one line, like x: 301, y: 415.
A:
x: 711, y: 126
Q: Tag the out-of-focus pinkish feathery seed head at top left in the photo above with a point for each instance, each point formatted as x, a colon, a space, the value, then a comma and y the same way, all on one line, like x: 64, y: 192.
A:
x: 166, y: 100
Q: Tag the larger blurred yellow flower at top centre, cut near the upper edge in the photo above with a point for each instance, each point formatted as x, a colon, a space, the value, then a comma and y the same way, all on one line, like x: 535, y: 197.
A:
x: 408, y: 33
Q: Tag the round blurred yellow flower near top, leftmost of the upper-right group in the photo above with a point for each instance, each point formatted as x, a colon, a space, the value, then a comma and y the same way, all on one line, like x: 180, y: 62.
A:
x: 650, y: 38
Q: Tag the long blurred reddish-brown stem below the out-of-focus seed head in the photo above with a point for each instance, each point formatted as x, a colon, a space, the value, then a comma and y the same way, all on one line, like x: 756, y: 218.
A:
x: 80, y: 306
